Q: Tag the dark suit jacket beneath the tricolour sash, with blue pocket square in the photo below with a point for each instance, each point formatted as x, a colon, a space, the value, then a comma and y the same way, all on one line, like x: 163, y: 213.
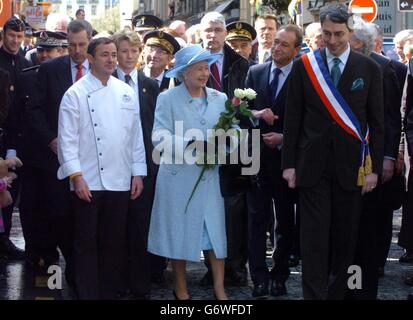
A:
x: 310, y: 133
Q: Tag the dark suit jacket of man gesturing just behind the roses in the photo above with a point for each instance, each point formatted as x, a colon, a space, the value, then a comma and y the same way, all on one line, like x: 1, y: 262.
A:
x: 258, y: 79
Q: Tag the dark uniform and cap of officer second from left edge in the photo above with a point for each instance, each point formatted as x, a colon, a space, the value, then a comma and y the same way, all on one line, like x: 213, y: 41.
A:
x: 40, y: 230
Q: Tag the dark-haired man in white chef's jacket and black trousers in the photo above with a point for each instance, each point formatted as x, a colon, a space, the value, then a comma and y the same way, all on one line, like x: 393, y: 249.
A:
x: 100, y: 147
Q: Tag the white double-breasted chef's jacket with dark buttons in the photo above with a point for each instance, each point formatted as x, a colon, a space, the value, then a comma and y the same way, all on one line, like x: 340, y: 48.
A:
x: 100, y: 134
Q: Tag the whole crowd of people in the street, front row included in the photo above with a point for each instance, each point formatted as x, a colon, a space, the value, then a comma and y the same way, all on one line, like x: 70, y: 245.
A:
x: 84, y: 111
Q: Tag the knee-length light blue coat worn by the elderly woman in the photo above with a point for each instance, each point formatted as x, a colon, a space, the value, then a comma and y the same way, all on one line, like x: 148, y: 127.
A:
x: 173, y: 232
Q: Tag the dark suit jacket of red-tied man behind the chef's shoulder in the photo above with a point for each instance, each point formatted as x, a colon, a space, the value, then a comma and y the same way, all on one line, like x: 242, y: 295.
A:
x: 53, y: 79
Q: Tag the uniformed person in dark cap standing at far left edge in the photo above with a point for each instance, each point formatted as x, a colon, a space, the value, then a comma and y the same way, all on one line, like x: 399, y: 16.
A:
x: 13, y: 63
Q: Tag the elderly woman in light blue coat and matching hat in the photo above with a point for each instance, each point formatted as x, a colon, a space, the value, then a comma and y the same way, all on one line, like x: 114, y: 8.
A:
x: 181, y: 230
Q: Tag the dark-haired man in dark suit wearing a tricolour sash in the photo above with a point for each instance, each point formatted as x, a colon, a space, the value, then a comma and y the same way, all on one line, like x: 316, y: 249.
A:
x: 333, y: 150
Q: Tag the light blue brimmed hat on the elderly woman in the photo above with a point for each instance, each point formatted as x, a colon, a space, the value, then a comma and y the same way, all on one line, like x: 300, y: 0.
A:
x: 189, y: 56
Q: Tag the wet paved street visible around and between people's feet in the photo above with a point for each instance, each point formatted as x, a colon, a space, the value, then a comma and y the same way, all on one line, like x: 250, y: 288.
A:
x: 17, y: 280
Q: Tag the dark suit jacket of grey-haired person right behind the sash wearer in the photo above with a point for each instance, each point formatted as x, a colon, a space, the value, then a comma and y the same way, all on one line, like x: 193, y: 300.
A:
x: 392, y: 102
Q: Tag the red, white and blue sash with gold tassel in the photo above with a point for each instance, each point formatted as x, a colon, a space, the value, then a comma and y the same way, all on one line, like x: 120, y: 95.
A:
x: 337, y: 107
